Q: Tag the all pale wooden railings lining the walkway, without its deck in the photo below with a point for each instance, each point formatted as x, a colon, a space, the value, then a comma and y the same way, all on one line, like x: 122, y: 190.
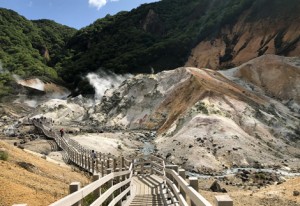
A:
x: 113, y: 177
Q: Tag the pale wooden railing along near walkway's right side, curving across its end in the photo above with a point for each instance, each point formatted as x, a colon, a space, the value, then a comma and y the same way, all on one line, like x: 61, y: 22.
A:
x: 179, y: 191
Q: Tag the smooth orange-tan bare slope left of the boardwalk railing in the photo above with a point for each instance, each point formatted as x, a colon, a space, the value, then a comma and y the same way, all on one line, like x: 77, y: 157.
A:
x: 41, y: 183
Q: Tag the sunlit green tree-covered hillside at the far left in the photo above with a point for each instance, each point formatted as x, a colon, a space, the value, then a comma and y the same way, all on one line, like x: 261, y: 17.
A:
x: 29, y: 48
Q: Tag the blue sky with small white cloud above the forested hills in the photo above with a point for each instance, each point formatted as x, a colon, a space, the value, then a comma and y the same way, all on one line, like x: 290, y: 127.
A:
x: 73, y: 13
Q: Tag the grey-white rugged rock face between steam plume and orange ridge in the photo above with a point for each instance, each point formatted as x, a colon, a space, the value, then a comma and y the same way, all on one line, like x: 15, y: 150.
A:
x: 137, y: 103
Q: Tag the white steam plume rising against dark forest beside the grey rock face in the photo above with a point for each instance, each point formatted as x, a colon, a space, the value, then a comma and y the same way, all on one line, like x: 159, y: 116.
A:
x: 102, y: 81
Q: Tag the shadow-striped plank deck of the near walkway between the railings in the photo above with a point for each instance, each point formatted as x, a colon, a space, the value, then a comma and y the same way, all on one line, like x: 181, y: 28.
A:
x: 147, y: 190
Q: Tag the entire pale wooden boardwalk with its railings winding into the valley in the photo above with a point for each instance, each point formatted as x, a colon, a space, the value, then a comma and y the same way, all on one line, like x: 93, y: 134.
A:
x: 142, y: 181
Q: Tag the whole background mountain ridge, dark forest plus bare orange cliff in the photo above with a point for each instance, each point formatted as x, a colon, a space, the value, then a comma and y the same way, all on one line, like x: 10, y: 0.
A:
x: 158, y: 36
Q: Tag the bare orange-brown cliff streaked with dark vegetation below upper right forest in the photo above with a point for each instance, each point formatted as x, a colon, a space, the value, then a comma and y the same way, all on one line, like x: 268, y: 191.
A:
x: 247, y: 40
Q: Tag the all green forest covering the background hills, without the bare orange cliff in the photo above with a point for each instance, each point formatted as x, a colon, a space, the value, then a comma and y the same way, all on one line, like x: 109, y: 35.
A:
x: 158, y: 35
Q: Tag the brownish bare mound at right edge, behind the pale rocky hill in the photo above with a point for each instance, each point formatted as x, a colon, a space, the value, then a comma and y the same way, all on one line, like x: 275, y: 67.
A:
x: 275, y: 76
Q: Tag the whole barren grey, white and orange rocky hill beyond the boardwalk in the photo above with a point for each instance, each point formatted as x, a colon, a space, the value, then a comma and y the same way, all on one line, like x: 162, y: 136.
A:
x: 202, y: 113
